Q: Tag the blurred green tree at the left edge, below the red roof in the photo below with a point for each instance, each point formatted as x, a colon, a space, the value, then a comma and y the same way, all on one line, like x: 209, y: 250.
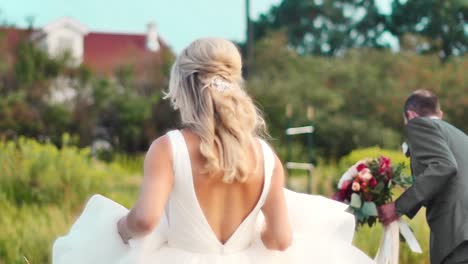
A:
x: 24, y: 96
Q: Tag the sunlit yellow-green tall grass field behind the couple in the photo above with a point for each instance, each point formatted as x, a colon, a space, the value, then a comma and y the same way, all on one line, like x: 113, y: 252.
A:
x: 43, y: 189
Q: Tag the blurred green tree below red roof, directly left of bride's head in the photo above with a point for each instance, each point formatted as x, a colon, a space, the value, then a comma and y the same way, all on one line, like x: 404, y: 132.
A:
x: 126, y: 110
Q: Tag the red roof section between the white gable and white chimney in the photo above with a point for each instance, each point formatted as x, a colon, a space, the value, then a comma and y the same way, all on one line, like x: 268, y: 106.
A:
x: 105, y: 52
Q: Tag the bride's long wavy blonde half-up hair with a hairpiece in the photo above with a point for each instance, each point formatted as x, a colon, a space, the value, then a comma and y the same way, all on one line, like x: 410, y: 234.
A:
x: 206, y: 86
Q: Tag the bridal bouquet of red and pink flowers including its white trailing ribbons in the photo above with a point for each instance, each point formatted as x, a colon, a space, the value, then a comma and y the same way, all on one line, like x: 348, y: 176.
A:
x: 366, y: 186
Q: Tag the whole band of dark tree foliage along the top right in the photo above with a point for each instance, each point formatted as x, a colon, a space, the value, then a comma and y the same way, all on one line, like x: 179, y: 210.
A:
x: 330, y: 27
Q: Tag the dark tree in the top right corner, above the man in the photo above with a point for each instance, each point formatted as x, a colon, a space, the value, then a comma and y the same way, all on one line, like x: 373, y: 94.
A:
x: 442, y: 25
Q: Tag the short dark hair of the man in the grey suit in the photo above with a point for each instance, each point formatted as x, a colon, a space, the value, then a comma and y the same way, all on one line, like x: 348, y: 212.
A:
x: 423, y: 102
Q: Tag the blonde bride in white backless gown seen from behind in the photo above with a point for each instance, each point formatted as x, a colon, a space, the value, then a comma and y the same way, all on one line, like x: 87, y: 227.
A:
x: 213, y: 191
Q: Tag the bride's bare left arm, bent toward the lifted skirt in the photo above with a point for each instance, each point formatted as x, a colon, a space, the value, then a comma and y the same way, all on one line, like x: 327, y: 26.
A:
x: 157, y: 184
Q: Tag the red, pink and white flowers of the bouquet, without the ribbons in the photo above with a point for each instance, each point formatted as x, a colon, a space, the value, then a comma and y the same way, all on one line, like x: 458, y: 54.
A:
x: 368, y: 185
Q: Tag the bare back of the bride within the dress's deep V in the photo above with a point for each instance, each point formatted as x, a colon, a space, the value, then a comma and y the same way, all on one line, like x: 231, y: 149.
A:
x: 225, y: 205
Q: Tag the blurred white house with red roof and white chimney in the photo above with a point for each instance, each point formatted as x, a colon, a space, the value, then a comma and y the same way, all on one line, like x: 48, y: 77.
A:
x: 103, y: 52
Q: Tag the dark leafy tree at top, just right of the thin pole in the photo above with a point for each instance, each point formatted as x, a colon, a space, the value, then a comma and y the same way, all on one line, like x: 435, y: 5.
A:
x: 325, y: 27
